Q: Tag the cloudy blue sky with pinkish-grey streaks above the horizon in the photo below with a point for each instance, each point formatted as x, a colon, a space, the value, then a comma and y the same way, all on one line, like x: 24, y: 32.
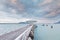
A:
x: 14, y: 11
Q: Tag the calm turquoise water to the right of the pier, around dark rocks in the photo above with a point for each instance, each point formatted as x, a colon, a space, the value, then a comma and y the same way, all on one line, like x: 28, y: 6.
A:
x: 46, y: 32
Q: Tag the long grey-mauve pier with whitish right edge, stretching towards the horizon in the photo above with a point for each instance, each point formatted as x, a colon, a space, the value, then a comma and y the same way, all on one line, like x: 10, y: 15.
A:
x: 20, y: 34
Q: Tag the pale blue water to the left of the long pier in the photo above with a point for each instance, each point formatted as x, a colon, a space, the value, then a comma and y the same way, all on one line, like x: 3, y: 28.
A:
x: 5, y: 28
